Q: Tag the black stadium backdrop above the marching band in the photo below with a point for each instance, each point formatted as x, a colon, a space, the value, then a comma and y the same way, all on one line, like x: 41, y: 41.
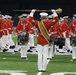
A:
x: 7, y: 6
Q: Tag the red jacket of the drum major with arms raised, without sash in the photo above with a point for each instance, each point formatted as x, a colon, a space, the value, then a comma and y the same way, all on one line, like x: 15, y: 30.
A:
x: 47, y: 24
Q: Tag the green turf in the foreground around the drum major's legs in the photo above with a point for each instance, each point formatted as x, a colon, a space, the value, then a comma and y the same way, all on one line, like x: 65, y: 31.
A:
x: 9, y: 61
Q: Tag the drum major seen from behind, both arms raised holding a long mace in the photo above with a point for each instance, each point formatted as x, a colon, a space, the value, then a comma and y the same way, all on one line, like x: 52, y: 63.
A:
x: 42, y: 40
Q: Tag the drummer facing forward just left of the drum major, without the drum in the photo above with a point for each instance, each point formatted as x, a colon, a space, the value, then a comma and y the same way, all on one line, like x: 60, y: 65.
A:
x: 24, y: 26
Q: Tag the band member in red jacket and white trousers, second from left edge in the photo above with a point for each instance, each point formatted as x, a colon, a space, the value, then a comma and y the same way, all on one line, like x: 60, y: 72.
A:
x: 4, y: 39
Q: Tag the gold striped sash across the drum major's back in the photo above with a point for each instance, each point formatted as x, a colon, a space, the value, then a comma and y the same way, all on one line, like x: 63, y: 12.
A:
x: 43, y: 30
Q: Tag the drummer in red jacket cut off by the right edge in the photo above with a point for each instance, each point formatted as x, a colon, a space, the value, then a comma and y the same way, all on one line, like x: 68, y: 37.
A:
x: 73, y: 34
